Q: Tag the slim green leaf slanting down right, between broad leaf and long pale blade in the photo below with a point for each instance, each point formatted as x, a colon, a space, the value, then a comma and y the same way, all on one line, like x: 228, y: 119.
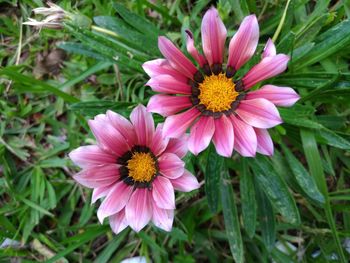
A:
x: 305, y: 181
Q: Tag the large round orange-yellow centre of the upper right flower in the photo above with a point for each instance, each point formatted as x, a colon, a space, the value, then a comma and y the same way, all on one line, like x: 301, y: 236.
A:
x: 217, y: 92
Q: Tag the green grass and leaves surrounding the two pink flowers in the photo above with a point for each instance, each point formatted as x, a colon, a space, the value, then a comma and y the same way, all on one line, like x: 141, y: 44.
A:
x: 300, y: 196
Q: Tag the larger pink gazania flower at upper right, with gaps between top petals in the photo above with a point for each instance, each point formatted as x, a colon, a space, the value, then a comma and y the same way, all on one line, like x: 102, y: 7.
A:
x: 210, y: 99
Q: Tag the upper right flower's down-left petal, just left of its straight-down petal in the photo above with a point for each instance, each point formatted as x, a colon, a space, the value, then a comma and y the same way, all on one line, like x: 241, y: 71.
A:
x: 201, y: 133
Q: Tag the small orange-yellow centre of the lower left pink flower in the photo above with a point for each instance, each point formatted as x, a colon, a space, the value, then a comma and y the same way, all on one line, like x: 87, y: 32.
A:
x: 142, y: 167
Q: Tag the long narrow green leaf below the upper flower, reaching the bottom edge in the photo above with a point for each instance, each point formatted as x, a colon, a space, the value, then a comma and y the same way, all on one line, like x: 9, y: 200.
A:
x: 231, y: 217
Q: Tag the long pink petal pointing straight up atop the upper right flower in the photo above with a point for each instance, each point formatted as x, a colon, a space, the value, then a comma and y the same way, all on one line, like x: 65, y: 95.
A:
x: 213, y: 36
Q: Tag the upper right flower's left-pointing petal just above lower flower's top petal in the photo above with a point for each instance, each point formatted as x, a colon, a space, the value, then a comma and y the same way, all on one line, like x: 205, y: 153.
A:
x: 166, y: 105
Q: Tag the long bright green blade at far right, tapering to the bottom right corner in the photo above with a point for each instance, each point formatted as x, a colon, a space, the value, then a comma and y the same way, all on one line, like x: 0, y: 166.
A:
x: 313, y: 157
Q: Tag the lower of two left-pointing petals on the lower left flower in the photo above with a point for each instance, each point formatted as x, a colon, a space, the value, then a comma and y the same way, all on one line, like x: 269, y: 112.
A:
x: 97, y: 176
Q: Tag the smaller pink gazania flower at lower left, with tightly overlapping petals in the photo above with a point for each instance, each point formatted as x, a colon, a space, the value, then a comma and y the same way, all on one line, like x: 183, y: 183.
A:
x: 135, y: 168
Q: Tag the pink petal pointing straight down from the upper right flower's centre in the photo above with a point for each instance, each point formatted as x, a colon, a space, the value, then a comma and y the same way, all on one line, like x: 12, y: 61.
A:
x: 224, y: 136
